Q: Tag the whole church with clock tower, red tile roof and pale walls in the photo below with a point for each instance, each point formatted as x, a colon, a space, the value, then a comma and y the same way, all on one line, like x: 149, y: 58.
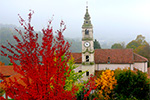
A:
x: 92, y: 61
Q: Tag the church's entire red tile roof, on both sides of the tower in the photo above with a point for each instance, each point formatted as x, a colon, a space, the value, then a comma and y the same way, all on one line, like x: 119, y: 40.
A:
x: 116, y: 56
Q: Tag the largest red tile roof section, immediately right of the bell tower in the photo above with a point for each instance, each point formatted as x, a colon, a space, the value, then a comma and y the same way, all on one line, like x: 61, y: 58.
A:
x: 116, y: 56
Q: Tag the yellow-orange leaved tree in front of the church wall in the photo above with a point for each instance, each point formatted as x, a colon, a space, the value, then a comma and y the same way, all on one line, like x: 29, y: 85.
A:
x: 106, y: 84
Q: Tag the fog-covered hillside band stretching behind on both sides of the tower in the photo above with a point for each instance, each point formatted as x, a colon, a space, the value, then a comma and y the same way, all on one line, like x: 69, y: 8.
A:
x: 7, y: 31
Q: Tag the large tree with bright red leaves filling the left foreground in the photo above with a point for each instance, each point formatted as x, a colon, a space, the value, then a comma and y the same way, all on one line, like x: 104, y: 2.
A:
x: 43, y: 69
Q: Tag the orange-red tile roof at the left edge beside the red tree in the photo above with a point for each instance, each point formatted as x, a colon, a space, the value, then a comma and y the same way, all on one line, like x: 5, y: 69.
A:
x: 7, y: 70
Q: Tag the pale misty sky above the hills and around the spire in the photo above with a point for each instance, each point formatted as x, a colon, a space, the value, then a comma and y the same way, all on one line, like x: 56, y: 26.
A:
x: 115, y: 20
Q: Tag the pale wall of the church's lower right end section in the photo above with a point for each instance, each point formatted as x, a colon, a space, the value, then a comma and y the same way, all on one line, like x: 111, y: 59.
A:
x: 142, y: 66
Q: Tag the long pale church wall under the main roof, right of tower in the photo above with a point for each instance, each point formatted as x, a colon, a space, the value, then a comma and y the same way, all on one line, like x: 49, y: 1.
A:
x: 112, y: 66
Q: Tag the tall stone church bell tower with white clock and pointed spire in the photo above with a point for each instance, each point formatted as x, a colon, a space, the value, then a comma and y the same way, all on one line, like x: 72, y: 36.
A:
x: 87, y: 46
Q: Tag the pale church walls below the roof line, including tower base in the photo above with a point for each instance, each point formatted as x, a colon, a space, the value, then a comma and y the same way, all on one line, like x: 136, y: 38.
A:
x: 142, y: 66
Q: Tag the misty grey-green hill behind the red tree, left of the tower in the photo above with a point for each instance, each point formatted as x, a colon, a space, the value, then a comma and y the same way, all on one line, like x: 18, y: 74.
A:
x: 7, y: 32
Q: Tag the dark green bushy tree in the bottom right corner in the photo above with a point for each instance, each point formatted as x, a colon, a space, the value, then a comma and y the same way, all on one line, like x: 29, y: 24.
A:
x: 130, y: 84
